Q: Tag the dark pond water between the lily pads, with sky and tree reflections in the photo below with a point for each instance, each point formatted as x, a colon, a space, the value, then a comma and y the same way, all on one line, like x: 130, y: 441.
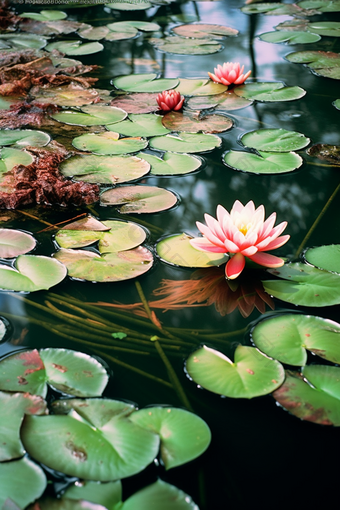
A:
x: 260, y: 454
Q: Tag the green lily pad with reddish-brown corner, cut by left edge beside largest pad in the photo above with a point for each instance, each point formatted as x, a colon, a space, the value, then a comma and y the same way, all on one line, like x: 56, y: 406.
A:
x: 14, y: 406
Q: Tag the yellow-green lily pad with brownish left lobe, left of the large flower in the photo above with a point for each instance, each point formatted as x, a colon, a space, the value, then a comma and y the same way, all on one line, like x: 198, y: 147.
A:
x: 122, y: 235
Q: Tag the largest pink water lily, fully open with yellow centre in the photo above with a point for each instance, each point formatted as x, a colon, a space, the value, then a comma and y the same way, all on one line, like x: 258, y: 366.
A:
x: 242, y: 233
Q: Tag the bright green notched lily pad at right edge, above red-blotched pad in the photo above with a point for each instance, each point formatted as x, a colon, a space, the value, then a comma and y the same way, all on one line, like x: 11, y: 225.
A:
x: 287, y: 337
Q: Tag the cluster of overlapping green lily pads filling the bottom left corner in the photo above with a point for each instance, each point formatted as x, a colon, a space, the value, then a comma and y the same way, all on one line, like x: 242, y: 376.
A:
x: 95, y: 439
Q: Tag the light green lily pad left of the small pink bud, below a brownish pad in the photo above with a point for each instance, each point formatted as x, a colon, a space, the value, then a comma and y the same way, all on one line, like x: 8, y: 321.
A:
x: 92, y: 115
